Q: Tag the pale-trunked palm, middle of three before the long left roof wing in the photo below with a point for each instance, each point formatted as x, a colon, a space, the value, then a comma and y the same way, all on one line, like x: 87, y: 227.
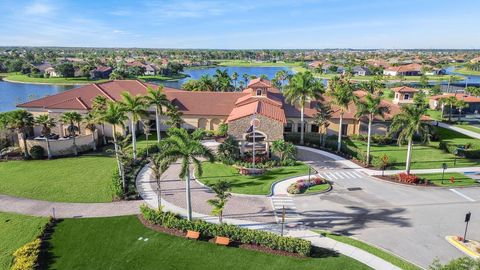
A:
x: 134, y: 106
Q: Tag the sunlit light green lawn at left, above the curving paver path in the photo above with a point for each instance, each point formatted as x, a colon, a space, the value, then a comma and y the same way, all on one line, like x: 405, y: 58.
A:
x: 74, y: 179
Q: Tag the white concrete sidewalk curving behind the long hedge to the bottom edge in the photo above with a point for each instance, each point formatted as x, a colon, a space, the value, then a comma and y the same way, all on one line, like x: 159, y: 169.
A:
x: 145, y: 187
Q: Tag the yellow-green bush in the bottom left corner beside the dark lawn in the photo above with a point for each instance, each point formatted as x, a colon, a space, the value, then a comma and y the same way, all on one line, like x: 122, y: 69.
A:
x: 25, y: 258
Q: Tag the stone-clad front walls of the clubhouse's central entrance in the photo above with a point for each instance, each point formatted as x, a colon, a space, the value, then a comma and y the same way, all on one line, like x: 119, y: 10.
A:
x: 272, y: 128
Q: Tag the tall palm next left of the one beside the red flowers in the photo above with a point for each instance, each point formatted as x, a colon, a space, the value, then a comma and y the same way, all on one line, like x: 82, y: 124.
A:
x: 371, y: 106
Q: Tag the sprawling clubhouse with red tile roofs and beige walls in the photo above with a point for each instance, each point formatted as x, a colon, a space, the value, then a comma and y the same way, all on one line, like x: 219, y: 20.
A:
x: 208, y: 110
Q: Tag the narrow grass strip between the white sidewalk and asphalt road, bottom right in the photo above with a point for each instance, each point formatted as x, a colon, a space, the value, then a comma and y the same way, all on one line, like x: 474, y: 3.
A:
x: 387, y: 256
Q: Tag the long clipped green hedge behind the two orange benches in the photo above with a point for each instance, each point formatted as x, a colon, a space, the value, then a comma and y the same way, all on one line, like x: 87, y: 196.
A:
x: 235, y: 233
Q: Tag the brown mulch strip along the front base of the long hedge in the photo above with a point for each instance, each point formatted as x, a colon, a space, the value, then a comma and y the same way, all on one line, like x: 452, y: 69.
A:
x: 180, y: 233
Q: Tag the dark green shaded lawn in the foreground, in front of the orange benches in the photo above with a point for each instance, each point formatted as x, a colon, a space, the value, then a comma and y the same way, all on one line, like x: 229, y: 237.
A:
x: 112, y: 243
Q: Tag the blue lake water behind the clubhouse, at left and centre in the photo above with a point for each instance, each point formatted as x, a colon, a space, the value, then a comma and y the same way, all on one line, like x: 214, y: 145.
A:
x: 15, y: 93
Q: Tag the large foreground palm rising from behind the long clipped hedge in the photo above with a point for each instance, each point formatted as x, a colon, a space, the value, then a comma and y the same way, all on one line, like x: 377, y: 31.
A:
x: 188, y: 149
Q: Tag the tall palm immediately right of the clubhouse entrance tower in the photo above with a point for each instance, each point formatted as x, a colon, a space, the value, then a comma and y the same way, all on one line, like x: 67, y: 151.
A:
x: 301, y: 88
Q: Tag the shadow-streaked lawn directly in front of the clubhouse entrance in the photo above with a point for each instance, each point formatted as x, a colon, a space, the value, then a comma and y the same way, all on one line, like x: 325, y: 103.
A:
x: 255, y: 185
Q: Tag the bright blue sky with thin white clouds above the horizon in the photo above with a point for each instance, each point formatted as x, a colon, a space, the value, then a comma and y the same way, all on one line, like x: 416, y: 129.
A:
x: 392, y: 24
